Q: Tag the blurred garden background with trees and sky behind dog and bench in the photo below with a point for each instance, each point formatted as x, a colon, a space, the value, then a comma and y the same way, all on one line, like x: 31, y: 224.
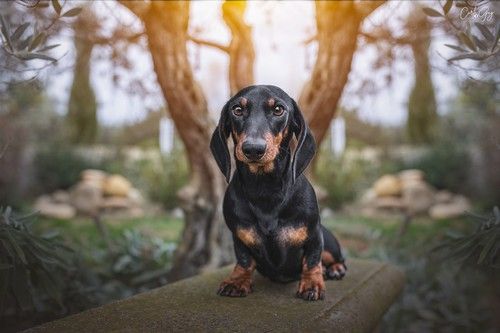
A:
x: 108, y: 188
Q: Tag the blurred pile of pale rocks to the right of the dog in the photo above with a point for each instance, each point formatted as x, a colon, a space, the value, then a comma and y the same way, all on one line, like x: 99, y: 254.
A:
x: 409, y: 193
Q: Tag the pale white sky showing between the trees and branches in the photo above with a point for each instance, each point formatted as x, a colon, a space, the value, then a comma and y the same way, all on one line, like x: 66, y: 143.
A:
x: 279, y: 29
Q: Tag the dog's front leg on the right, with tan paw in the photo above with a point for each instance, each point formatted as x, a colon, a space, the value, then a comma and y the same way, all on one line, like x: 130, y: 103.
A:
x: 312, y: 286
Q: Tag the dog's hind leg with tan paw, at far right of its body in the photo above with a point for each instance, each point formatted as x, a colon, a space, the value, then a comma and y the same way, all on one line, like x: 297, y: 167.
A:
x: 332, y: 257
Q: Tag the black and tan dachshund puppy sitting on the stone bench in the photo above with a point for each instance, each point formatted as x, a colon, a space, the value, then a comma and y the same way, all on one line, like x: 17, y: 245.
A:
x: 270, y: 207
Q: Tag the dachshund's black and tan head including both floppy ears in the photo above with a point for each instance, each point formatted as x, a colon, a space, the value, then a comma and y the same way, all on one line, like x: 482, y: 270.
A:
x: 261, y: 119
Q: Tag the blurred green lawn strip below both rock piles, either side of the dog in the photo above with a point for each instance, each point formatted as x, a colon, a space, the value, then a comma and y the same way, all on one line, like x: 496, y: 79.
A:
x: 358, y: 235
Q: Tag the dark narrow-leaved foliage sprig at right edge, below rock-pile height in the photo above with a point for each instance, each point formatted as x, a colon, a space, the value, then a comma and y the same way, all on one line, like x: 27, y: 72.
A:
x: 480, y: 248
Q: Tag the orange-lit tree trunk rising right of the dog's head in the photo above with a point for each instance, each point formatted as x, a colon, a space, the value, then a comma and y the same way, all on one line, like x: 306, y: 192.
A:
x: 337, y: 24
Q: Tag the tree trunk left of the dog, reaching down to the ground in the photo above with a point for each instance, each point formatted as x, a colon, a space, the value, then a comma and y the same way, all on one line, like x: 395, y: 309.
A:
x: 205, y: 242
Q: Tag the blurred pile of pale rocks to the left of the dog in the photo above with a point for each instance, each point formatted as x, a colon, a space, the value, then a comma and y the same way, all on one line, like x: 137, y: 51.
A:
x: 97, y: 193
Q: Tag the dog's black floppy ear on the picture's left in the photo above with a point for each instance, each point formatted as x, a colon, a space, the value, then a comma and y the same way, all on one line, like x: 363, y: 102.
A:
x: 218, y: 144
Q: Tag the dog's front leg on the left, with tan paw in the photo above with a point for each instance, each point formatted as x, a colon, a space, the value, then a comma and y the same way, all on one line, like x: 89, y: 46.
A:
x: 239, y: 282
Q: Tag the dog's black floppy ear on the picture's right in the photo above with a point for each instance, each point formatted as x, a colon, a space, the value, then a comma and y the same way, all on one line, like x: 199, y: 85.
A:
x: 306, y: 146
